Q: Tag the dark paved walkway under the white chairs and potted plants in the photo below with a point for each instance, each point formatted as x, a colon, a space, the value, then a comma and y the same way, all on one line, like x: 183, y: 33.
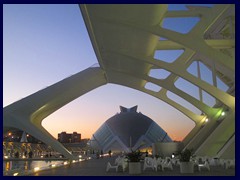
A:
x: 97, y: 167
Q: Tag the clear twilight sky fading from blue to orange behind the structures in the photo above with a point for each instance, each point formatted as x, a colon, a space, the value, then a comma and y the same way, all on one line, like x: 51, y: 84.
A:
x: 43, y: 44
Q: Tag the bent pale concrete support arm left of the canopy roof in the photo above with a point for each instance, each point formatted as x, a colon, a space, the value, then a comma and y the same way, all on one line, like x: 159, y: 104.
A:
x: 28, y: 113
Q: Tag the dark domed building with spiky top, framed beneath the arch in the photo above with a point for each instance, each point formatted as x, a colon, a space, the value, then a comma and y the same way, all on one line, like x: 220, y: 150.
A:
x: 128, y: 130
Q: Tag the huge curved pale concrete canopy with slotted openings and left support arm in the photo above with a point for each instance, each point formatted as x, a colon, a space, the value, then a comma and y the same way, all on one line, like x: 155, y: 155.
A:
x: 125, y: 38
